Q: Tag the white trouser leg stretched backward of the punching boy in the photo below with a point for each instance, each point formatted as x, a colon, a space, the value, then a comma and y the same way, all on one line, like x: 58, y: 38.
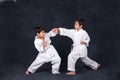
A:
x: 94, y: 65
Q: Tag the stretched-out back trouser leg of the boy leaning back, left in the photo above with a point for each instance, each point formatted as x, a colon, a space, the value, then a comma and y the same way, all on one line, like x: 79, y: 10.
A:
x: 38, y: 62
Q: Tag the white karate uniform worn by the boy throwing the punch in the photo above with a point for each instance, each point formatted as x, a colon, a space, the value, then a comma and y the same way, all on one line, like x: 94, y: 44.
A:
x: 79, y: 50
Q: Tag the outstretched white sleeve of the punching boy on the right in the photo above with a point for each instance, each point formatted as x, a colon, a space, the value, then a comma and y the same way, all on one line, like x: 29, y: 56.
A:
x: 66, y: 32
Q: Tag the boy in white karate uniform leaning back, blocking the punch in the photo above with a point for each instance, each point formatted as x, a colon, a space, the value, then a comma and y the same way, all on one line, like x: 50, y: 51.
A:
x: 47, y: 53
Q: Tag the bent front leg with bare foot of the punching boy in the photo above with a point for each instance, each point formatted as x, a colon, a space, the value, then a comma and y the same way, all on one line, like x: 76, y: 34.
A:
x: 72, y: 58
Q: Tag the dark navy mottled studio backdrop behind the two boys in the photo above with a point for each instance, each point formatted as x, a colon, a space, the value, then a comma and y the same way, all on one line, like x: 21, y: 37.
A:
x: 17, y: 20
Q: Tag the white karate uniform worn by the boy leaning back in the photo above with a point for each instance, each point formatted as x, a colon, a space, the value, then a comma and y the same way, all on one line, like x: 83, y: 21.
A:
x: 47, y: 54
